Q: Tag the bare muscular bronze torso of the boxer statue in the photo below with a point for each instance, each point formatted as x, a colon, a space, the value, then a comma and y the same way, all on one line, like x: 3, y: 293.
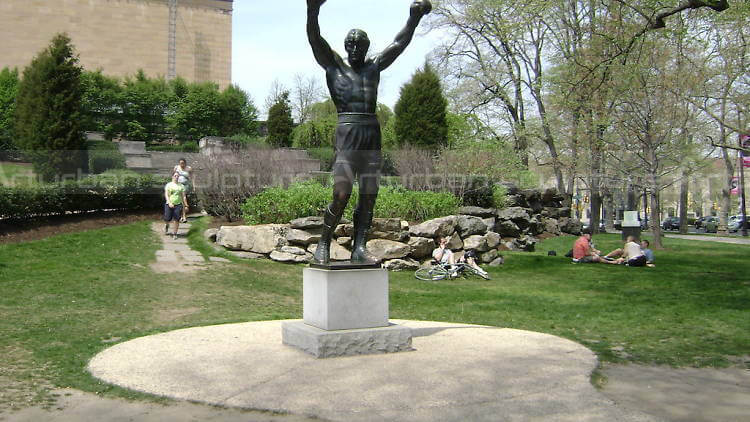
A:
x: 354, y: 91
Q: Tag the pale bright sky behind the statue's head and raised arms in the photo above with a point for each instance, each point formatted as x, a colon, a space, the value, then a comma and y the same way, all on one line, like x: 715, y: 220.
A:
x: 270, y: 42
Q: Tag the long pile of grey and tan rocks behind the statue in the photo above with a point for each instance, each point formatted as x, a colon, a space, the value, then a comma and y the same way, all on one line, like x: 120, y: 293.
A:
x: 402, y: 246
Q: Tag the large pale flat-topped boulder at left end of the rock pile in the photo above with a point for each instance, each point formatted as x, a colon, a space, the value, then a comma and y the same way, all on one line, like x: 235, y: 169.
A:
x: 263, y: 238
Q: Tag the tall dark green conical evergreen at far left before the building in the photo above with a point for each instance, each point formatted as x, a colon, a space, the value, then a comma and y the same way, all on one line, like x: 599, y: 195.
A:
x: 48, y: 111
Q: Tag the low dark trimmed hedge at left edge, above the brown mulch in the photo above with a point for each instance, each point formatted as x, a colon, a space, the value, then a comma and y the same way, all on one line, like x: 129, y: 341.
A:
x: 103, y: 192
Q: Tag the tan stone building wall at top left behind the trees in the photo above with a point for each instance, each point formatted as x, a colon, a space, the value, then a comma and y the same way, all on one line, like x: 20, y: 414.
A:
x: 121, y: 36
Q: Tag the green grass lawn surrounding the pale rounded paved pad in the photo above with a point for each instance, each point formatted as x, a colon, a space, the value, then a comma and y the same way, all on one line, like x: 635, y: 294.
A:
x: 65, y: 298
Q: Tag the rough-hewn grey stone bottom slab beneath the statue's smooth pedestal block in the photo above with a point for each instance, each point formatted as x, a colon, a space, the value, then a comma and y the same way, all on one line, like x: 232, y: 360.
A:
x: 364, y: 341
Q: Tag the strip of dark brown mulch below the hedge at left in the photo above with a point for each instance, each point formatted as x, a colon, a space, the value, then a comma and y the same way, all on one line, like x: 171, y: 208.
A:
x: 40, y: 228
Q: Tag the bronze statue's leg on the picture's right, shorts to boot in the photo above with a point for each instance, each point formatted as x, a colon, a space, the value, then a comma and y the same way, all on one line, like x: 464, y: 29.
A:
x: 369, y: 183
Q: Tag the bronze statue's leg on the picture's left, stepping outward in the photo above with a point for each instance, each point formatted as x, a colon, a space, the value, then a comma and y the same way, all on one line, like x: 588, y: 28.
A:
x: 343, y: 176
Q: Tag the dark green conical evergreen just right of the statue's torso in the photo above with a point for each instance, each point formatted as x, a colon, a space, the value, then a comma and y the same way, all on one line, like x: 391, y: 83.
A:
x: 420, y: 112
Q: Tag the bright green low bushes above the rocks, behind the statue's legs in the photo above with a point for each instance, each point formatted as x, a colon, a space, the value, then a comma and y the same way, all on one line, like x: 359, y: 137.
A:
x: 302, y: 199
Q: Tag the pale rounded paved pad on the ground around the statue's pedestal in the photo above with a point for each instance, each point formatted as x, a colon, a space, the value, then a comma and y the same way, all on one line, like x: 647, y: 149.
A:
x: 457, y: 372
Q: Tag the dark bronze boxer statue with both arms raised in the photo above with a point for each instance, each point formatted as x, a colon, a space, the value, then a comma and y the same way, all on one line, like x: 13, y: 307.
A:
x: 354, y: 90
